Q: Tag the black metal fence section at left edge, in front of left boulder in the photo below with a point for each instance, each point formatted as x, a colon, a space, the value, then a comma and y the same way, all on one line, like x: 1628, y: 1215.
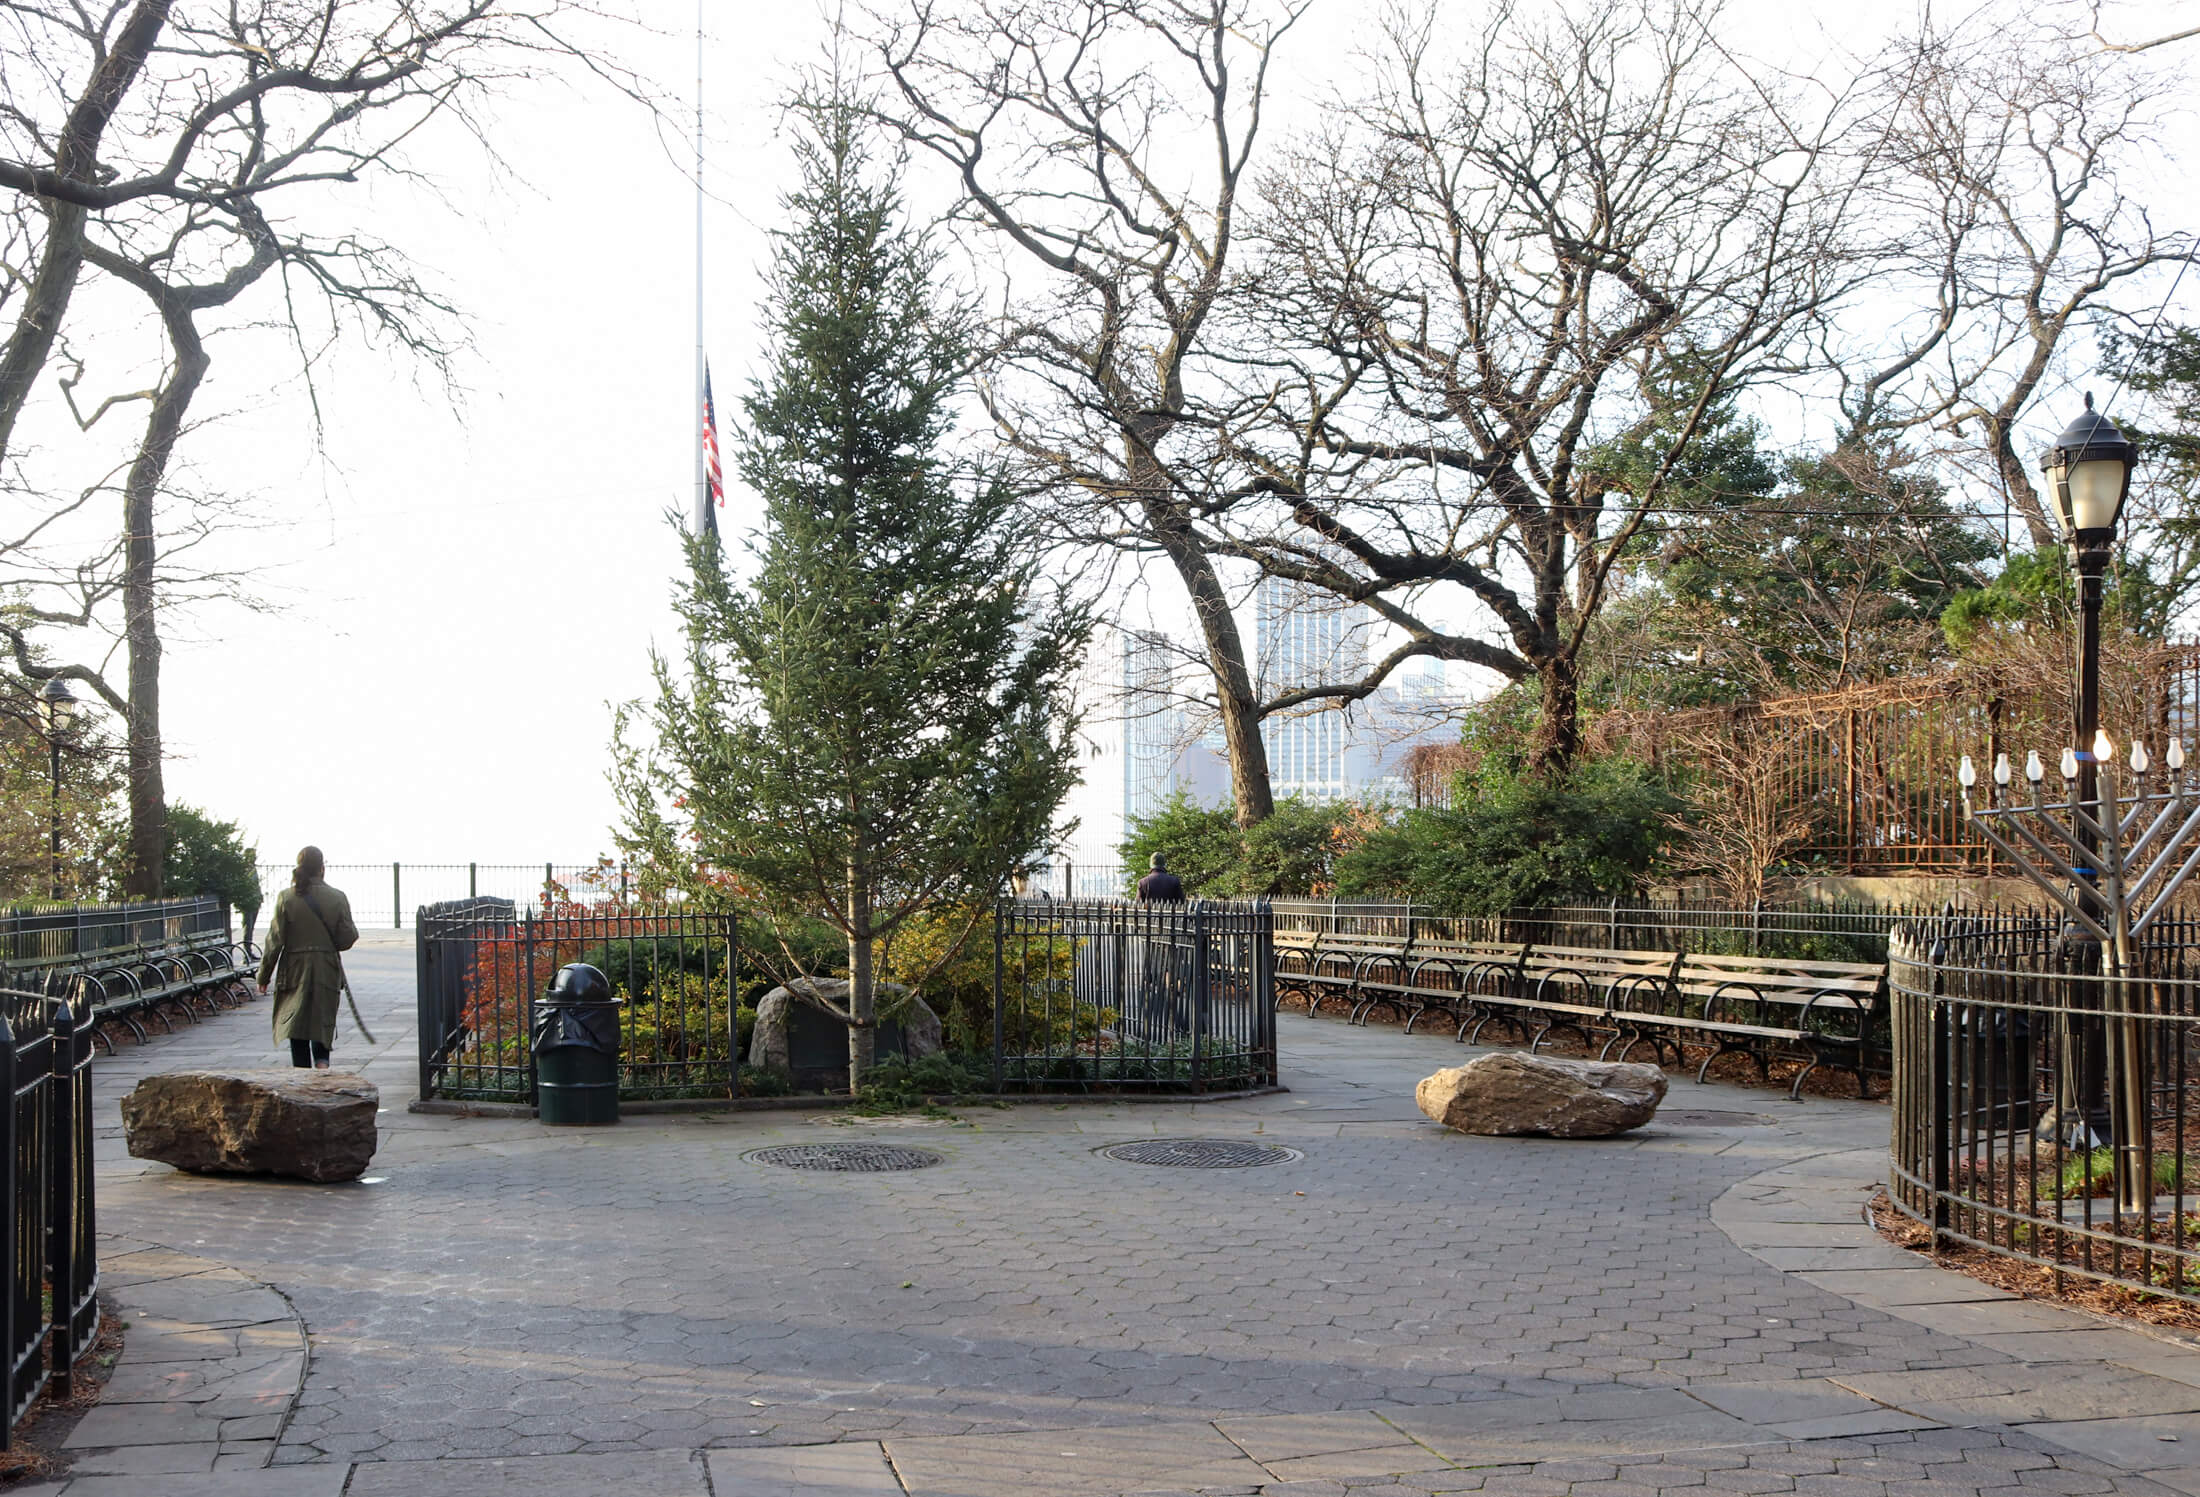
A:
x: 49, y: 1263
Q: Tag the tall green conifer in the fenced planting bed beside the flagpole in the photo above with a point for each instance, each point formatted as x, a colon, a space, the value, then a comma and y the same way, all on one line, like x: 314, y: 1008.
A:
x: 877, y: 725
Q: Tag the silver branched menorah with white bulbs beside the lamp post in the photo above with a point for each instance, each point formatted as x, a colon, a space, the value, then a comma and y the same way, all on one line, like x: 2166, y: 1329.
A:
x: 2111, y: 864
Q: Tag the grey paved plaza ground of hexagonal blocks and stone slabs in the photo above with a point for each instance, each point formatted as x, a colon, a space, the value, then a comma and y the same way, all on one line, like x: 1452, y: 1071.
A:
x: 507, y: 1309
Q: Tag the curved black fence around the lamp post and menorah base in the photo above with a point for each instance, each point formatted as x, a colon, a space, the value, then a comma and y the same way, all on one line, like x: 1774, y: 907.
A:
x: 2045, y: 1111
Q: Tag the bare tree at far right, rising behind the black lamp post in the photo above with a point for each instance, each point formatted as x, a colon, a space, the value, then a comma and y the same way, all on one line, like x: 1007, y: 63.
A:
x: 2012, y: 234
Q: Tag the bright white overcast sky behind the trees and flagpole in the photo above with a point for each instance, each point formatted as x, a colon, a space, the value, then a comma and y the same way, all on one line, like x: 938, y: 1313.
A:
x: 463, y: 591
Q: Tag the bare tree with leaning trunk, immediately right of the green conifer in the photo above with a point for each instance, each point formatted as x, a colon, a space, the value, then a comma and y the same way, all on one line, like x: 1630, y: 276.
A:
x: 1103, y: 146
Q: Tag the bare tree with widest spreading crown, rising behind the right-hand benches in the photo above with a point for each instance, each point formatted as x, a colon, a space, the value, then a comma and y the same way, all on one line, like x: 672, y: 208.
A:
x: 1508, y: 294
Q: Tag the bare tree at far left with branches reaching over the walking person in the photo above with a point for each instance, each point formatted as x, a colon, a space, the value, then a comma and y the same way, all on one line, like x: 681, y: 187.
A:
x: 221, y: 111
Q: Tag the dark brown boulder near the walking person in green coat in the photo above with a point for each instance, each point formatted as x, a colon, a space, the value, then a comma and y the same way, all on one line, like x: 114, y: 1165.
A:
x: 300, y: 1124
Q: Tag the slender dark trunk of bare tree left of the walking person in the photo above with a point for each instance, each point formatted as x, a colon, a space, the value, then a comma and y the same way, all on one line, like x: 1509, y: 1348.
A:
x: 142, y: 622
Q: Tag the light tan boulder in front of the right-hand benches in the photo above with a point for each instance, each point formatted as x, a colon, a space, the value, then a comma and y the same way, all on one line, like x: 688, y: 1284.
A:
x: 1517, y: 1093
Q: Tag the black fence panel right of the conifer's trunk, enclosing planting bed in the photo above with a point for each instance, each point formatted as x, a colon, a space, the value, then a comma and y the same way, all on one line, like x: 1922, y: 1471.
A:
x: 1136, y: 998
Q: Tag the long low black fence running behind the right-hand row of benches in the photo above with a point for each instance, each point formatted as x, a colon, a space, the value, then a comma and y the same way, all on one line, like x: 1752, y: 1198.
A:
x: 1695, y: 926
